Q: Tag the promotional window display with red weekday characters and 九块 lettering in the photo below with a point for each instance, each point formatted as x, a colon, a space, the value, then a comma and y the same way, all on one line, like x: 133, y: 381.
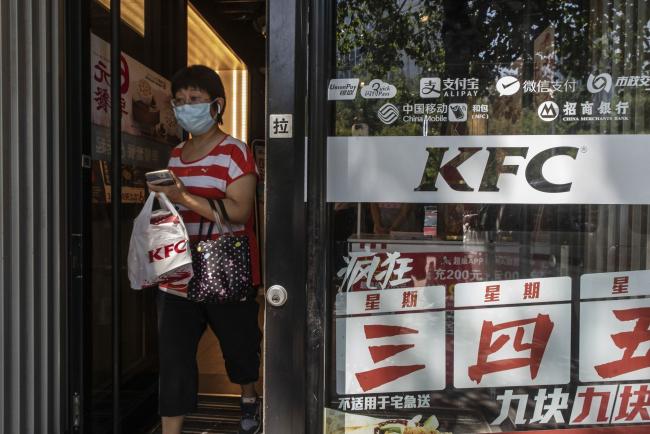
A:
x: 543, y: 354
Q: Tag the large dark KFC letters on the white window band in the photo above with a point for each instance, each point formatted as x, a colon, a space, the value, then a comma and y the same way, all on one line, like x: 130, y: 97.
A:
x: 494, y: 168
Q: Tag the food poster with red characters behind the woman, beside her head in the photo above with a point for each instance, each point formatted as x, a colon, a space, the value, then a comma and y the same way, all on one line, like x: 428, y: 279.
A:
x: 149, y: 128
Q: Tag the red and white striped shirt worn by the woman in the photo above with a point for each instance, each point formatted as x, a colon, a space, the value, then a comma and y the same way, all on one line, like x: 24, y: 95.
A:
x: 209, y: 177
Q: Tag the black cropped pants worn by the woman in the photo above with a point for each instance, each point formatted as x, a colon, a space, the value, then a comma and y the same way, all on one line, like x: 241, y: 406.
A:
x: 180, y: 326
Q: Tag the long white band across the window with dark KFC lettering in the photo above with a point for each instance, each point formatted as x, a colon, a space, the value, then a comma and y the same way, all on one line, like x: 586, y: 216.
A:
x: 553, y: 169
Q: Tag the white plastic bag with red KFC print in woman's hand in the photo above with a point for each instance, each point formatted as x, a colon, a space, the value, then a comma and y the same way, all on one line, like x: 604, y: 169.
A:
x: 159, y: 251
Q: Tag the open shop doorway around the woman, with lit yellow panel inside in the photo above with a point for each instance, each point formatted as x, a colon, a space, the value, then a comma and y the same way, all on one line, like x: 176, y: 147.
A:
x: 114, y: 386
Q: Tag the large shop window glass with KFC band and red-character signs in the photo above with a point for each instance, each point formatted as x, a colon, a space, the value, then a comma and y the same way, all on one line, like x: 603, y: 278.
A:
x: 490, y: 228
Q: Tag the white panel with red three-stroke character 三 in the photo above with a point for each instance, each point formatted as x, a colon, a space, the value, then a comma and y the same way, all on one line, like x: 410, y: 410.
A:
x: 390, y: 353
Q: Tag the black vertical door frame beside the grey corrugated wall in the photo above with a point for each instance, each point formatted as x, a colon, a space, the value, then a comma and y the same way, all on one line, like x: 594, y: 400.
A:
x: 78, y: 200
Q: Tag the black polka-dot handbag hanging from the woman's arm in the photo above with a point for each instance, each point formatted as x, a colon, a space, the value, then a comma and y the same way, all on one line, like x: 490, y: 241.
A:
x: 222, y: 270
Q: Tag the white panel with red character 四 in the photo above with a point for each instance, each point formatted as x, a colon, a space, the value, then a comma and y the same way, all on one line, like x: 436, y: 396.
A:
x: 512, y: 346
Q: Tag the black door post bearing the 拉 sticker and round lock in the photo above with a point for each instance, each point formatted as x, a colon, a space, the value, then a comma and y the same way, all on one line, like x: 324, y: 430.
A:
x: 284, y: 342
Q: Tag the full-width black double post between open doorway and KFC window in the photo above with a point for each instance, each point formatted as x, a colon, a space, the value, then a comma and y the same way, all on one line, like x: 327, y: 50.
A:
x: 297, y: 231
